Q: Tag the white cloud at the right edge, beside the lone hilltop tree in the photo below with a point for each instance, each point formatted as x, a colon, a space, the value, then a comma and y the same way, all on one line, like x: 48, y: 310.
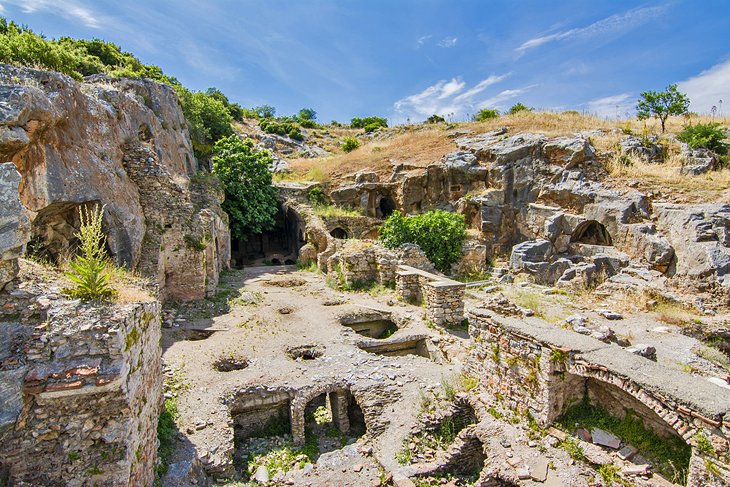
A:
x: 709, y: 87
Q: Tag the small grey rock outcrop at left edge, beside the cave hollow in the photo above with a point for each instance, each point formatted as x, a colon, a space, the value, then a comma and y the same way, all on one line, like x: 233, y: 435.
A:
x: 14, y: 224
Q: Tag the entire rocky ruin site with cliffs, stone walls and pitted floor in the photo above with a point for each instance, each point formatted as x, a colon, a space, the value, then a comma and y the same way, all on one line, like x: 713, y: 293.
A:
x: 580, y: 337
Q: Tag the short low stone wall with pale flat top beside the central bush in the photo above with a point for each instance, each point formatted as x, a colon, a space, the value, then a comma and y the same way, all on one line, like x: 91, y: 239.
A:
x: 443, y: 298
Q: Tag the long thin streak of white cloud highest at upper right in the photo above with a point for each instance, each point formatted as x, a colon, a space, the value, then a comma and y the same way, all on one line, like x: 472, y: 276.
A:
x: 614, y: 23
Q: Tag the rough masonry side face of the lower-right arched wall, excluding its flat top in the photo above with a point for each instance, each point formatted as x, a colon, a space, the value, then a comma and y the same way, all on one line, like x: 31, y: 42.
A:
x: 529, y: 373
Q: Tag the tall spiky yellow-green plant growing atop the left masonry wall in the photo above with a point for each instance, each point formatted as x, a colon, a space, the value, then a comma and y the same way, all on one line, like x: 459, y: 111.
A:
x: 88, y: 268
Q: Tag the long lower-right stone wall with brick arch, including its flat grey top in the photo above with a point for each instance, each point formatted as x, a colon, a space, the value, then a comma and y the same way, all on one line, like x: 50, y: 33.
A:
x: 537, y: 370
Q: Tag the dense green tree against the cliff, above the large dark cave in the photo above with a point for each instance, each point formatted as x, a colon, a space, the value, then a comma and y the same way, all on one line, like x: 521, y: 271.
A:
x: 244, y: 173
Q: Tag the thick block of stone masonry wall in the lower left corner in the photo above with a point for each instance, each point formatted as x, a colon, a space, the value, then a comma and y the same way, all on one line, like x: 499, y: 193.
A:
x: 81, y: 395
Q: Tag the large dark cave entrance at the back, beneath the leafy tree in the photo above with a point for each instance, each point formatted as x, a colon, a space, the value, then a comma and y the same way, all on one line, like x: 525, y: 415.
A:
x: 278, y: 246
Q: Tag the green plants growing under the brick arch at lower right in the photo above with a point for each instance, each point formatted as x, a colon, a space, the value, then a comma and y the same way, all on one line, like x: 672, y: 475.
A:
x: 670, y: 455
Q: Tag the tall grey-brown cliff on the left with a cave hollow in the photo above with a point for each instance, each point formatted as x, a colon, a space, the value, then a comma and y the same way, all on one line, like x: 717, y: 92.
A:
x: 122, y: 143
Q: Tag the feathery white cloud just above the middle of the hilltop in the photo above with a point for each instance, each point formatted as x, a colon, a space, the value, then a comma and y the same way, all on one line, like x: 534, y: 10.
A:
x: 446, y: 98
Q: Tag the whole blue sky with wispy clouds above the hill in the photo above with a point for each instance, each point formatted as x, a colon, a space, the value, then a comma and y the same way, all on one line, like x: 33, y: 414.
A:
x: 407, y: 59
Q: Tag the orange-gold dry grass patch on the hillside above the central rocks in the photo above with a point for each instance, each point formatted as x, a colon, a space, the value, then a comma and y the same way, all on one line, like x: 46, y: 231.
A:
x: 418, y: 148
